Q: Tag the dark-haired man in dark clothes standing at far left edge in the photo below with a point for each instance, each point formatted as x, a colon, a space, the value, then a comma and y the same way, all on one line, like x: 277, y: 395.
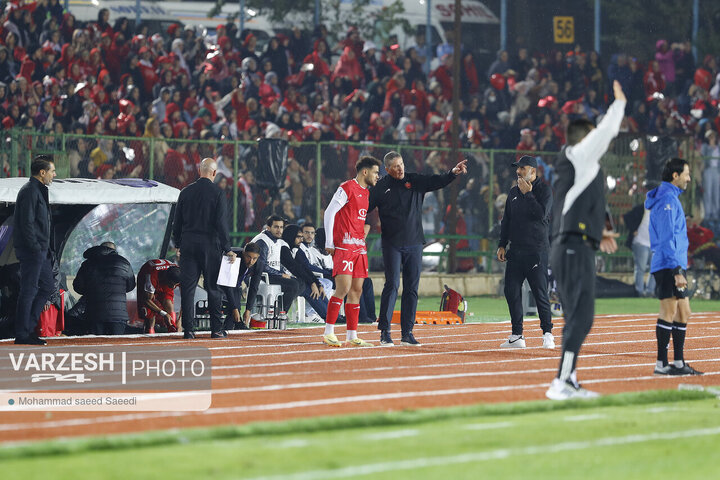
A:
x: 33, y: 248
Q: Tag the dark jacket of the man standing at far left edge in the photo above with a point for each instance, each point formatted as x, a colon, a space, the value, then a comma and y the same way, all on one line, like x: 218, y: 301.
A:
x: 31, y: 227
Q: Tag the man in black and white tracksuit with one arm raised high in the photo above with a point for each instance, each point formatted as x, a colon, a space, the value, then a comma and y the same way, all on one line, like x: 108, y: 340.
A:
x: 581, y: 225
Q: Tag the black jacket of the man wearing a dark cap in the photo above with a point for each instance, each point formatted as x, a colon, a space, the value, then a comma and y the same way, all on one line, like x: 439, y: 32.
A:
x: 526, y: 219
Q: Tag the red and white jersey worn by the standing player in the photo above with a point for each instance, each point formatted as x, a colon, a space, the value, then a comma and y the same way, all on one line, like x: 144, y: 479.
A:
x: 345, y: 218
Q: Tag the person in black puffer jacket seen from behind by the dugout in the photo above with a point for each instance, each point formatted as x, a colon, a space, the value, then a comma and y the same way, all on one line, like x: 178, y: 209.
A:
x: 105, y: 278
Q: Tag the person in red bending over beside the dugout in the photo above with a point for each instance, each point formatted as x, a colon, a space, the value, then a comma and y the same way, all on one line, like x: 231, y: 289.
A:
x: 157, y: 280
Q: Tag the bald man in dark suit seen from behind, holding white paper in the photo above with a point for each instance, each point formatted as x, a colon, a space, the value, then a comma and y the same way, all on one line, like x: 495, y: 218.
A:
x: 200, y: 232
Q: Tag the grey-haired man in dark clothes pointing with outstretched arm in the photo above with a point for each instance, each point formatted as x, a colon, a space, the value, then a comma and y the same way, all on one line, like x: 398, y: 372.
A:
x: 398, y: 197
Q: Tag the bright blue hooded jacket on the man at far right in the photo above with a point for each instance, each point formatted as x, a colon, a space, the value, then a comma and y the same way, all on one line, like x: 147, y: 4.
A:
x: 668, y: 230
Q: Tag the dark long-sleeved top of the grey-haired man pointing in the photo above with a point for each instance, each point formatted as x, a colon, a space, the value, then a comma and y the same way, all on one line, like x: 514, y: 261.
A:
x: 399, y: 204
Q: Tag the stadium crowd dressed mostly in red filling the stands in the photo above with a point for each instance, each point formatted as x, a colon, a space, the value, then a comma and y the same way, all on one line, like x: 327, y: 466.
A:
x: 60, y: 76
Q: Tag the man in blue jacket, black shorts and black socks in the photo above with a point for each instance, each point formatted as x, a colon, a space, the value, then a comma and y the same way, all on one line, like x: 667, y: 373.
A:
x: 669, y: 243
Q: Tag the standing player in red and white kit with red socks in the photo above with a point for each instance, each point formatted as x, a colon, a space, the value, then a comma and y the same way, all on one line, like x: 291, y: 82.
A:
x: 345, y: 224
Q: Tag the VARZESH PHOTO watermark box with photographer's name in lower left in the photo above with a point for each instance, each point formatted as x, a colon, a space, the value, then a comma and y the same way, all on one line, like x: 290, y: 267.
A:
x: 105, y: 378
